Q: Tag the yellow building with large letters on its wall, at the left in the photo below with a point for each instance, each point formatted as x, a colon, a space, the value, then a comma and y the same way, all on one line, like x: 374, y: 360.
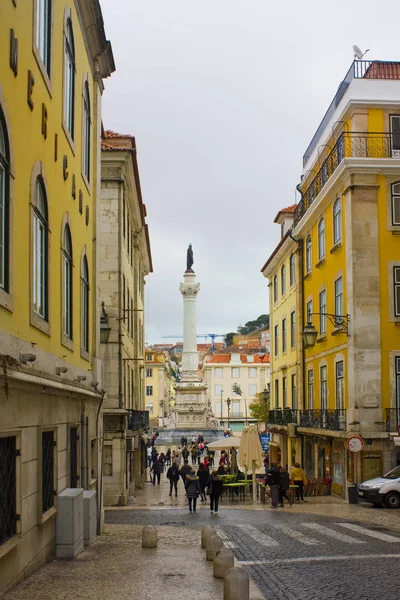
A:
x: 54, y: 56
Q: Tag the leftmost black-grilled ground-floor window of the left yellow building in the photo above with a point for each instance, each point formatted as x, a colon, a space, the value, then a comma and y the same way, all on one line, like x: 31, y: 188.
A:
x: 8, y: 482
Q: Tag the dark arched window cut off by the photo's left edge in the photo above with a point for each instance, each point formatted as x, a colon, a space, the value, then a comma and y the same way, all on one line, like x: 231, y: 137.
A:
x: 4, y: 202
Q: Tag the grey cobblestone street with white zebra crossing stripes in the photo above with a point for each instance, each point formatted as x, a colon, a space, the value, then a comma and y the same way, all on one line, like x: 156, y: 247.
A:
x: 321, y: 550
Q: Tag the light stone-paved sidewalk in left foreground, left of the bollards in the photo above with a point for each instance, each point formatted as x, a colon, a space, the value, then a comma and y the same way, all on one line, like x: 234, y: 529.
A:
x: 117, y: 568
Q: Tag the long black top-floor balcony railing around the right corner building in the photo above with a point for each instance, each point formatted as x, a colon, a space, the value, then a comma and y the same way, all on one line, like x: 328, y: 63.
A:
x: 349, y: 145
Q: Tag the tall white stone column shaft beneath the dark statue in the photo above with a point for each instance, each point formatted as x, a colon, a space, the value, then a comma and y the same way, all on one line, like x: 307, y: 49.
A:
x: 190, y: 357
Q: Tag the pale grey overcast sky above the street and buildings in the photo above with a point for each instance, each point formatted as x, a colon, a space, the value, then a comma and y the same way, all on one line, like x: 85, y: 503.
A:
x: 223, y: 97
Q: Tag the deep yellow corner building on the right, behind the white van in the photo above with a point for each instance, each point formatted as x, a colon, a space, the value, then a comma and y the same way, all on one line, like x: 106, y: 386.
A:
x: 347, y: 225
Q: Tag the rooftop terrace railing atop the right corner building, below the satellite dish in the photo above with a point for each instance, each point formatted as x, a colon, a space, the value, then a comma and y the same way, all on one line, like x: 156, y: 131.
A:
x: 359, y: 69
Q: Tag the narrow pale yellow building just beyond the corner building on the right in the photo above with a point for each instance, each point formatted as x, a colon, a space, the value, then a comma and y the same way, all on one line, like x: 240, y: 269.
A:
x: 282, y: 271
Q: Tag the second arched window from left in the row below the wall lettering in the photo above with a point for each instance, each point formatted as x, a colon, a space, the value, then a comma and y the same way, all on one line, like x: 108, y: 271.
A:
x: 40, y: 250
